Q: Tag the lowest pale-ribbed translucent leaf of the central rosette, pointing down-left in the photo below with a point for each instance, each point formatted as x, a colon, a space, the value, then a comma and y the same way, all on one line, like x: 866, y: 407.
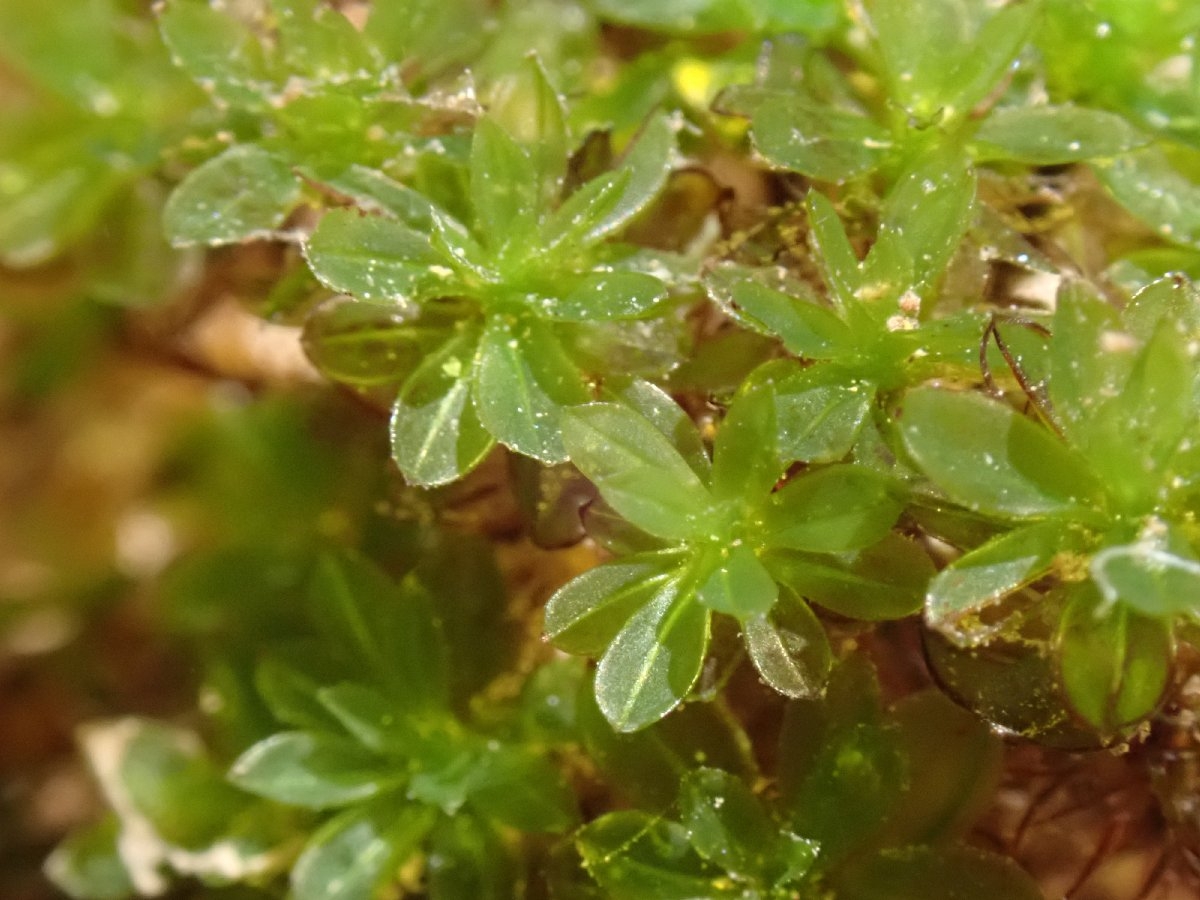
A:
x: 655, y: 661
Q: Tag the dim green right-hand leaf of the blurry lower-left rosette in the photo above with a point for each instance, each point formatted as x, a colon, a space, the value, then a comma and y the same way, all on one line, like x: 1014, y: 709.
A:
x: 524, y: 790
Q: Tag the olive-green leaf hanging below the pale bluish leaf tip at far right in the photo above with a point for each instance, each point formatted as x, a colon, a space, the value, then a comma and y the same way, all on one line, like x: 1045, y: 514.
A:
x: 1115, y: 663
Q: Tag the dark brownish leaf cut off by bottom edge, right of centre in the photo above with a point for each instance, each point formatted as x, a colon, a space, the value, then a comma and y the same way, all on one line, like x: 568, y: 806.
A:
x: 937, y: 874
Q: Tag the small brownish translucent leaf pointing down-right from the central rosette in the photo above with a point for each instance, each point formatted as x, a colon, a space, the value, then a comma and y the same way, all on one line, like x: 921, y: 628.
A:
x: 790, y: 649
